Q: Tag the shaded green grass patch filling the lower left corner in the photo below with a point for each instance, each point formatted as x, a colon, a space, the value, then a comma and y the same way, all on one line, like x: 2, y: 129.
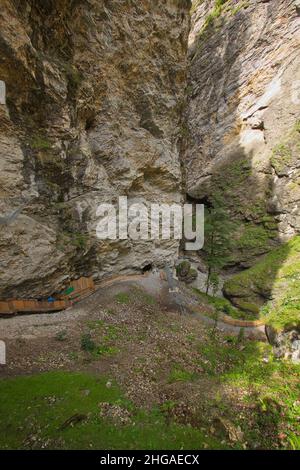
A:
x: 33, y: 410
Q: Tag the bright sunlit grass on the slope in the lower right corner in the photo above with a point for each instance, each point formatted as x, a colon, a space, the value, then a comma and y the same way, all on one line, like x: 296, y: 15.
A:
x: 269, y: 388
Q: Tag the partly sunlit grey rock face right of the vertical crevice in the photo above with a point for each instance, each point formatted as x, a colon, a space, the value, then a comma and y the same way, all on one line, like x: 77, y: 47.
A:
x: 243, y: 118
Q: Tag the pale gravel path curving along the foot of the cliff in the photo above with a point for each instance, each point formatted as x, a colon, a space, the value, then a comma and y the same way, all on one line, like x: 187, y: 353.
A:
x: 41, y: 325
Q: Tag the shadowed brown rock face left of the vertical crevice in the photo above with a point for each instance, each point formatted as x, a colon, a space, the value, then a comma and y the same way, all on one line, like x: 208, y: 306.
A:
x: 94, y: 97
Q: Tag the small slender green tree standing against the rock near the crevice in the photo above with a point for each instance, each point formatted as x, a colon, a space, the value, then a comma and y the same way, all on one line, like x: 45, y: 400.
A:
x: 218, y: 240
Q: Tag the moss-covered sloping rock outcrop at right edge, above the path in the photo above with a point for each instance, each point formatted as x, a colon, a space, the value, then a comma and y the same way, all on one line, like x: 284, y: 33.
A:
x: 276, y: 277
